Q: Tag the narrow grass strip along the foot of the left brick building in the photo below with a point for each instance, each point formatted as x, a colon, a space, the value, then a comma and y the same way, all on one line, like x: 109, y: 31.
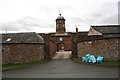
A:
x: 7, y: 67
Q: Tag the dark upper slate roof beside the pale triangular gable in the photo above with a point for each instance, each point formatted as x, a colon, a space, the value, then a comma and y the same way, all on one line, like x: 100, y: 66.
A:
x: 107, y: 29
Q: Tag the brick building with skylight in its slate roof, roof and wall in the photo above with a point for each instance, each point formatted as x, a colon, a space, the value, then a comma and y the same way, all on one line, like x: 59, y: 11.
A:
x: 22, y: 47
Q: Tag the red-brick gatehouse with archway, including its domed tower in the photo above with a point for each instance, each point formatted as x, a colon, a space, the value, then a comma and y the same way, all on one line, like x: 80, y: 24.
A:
x: 61, y: 40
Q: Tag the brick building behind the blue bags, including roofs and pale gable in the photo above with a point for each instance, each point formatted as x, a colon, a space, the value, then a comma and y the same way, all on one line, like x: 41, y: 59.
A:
x: 101, y: 40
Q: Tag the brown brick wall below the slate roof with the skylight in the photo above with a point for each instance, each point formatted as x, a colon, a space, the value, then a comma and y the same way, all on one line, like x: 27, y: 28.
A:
x: 22, y: 53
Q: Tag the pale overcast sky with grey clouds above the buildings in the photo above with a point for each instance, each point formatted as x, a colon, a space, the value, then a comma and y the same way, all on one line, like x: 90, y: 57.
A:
x: 40, y: 15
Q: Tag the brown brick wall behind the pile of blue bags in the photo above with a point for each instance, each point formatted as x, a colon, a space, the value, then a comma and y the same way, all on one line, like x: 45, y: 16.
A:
x: 108, y: 48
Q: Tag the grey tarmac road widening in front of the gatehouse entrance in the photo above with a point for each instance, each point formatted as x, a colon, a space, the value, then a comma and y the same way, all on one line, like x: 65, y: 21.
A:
x: 63, y: 68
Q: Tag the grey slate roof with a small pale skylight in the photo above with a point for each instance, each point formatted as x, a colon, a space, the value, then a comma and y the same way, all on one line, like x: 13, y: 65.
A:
x: 30, y: 37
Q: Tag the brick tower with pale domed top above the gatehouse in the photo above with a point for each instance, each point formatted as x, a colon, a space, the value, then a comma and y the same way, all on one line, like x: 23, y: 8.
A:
x: 60, y: 25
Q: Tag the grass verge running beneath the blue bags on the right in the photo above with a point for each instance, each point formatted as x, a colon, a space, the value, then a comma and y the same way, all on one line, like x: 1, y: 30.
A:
x: 115, y: 63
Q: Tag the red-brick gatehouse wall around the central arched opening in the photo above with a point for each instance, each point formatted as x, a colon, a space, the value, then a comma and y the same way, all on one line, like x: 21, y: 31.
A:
x: 54, y: 44
